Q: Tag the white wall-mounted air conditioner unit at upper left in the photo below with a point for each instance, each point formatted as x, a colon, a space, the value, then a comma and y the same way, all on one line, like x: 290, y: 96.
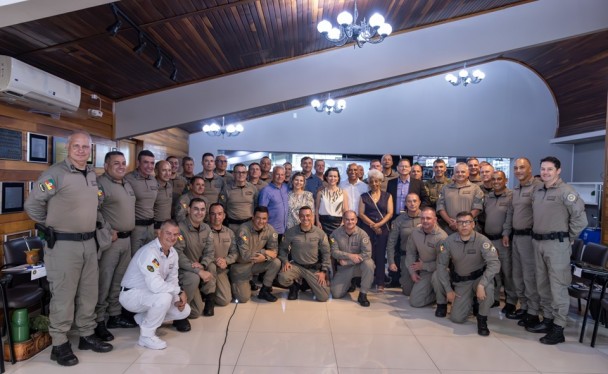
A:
x: 30, y: 87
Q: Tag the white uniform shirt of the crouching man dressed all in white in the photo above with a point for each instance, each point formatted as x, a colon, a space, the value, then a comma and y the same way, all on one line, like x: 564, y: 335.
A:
x: 150, y: 269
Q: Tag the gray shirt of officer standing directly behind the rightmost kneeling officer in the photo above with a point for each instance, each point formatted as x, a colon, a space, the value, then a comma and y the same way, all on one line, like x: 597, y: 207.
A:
x: 454, y: 199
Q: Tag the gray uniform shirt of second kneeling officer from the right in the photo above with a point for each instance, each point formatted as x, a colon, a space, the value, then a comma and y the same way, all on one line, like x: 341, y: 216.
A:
x: 424, y: 247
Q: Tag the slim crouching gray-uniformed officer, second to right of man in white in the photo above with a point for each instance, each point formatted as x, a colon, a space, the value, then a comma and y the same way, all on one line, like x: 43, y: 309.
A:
x: 224, y: 253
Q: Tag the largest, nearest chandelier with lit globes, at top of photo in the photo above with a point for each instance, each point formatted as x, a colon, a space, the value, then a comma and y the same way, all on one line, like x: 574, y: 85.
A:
x: 348, y: 30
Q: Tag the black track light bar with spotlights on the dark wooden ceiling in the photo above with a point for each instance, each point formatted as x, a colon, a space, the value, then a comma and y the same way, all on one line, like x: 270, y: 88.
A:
x: 144, y: 39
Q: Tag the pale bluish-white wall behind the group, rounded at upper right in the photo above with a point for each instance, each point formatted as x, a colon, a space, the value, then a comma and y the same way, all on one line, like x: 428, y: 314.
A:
x: 510, y: 114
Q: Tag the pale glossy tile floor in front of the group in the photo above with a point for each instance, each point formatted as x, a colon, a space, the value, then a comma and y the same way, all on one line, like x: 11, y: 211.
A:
x: 305, y: 336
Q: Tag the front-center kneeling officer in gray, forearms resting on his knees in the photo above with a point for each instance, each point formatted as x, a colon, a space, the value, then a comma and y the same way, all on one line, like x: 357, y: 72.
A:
x: 310, y: 257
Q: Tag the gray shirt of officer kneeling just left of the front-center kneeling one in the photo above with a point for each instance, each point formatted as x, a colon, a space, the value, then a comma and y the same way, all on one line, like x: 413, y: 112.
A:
x: 251, y: 242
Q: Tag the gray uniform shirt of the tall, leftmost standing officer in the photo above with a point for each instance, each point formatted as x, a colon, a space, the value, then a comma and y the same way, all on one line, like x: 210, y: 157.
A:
x: 63, y: 198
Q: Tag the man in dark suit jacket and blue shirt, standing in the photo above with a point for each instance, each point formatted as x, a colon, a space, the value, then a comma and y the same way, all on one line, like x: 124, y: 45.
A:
x: 399, y: 188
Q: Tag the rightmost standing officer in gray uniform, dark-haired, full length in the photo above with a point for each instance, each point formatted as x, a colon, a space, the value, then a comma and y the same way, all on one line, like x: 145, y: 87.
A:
x: 559, y: 217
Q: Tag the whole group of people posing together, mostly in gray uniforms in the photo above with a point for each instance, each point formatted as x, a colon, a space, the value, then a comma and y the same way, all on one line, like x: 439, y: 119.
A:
x: 154, y: 245
